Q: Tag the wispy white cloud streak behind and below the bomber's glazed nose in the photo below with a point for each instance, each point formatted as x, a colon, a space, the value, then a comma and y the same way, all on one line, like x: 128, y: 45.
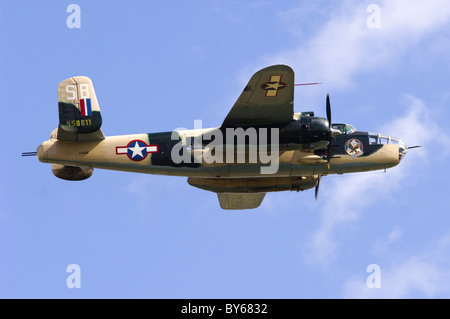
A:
x: 339, y: 211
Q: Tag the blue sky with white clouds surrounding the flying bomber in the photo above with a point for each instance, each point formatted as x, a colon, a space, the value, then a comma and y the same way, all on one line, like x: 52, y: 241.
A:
x: 160, y: 65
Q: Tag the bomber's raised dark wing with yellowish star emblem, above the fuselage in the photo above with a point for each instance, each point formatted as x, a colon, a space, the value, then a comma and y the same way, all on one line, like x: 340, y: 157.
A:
x: 268, y: 98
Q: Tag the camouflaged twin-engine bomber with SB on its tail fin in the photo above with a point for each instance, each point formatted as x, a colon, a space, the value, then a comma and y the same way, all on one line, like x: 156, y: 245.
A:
x: 262, y: 145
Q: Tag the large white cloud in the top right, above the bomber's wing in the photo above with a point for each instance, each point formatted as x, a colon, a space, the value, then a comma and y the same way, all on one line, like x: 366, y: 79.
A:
x: 345, y: 46
